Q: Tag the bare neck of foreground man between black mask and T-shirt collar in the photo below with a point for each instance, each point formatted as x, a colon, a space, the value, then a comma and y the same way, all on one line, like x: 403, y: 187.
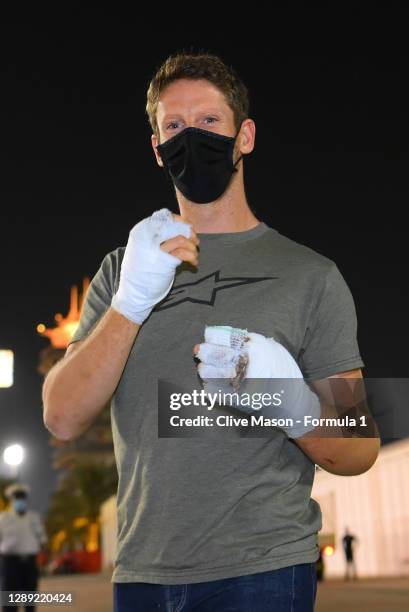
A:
x: 230, y: 213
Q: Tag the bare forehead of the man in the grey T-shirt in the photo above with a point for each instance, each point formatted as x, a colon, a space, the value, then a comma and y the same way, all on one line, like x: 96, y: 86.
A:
x: 185, y: 96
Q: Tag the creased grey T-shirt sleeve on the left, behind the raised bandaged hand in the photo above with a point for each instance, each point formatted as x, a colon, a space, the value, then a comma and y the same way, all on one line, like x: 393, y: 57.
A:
x: 98, y: 297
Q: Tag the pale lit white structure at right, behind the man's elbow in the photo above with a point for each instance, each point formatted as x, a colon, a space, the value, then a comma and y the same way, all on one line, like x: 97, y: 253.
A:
x: 375, y: 508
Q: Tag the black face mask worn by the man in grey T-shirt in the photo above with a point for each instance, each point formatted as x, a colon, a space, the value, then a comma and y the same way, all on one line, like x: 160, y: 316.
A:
x: 199, y: 162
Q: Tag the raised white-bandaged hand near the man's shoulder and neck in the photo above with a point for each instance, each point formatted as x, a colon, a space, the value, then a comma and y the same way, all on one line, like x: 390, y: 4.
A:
x: 147, y: 271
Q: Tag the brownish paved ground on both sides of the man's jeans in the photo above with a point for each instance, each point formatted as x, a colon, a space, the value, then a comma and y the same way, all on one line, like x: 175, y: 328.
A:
x: 94, y: 592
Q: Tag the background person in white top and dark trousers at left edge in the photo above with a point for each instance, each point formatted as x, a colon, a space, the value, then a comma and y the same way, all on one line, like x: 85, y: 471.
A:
x: 22, y: 535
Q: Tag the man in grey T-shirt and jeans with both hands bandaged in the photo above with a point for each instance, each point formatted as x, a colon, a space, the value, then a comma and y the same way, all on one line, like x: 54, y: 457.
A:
x: 216, y: 522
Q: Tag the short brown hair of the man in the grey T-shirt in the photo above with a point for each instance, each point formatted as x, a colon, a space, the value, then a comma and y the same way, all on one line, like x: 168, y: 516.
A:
x: 194, y: 66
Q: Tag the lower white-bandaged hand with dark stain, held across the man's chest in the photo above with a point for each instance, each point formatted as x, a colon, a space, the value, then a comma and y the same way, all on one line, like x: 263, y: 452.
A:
x: 231, y: 357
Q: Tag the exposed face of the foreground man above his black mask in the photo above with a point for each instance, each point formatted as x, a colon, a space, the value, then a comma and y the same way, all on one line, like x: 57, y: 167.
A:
x: 192, y: 103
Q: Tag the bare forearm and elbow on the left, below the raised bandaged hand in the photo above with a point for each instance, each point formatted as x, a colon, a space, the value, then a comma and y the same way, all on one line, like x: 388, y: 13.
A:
x: 78, y: 387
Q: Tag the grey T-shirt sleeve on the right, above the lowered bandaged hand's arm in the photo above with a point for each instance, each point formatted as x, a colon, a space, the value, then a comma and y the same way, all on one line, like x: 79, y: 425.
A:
x: 330, y: 345
